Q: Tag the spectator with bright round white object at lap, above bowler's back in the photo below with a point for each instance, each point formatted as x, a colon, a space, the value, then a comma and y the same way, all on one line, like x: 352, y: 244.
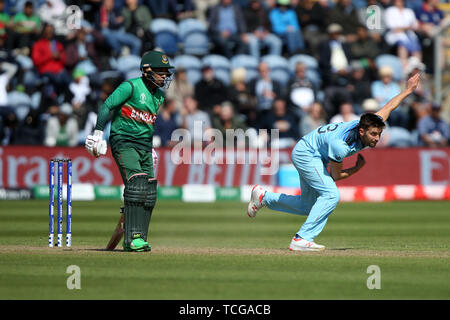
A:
x: 301, y: 93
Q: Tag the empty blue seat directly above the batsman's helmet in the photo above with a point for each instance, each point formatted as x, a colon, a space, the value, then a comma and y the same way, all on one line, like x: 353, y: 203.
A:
x: 166, y: 35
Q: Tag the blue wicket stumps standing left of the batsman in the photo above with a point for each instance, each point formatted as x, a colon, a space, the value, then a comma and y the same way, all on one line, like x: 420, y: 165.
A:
x: 59, y: 174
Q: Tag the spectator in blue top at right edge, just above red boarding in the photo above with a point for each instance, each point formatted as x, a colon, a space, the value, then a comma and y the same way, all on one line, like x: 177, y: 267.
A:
x: 433, y: 130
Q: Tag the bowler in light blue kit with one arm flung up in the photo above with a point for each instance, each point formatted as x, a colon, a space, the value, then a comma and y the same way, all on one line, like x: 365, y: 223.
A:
x: 326, y: 145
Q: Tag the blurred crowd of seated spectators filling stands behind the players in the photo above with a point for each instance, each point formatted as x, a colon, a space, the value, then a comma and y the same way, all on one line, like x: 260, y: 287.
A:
x: 291, y: 65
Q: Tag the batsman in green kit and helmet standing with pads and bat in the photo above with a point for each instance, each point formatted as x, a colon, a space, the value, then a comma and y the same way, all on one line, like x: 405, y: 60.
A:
x: 134, y: 106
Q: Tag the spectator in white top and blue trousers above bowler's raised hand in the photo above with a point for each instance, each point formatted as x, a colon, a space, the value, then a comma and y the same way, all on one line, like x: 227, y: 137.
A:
x: 402, y: 24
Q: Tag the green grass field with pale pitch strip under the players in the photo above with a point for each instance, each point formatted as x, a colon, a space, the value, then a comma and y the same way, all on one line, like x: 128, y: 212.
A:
x: 214, y: 251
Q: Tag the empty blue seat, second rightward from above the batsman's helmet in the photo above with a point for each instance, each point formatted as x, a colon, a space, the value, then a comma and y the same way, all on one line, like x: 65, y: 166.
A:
x: 193, y: 35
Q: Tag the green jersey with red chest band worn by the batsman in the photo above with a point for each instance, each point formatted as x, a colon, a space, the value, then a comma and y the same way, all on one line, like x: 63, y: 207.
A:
x: 134, y: 108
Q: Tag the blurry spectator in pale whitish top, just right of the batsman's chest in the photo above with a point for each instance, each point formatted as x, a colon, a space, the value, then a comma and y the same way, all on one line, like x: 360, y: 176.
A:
x: 197, y: 122
